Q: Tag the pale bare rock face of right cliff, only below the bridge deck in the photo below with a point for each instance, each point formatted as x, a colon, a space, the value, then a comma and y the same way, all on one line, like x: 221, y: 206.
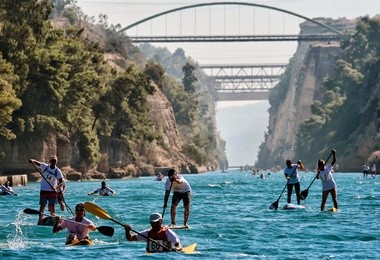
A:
x: 312, y: 64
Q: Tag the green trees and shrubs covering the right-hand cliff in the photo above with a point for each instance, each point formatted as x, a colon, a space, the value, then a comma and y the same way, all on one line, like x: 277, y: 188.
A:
x: 350, y: 105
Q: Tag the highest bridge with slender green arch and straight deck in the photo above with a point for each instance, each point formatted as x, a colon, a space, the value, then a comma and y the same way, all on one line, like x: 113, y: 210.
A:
x: 330, y: 33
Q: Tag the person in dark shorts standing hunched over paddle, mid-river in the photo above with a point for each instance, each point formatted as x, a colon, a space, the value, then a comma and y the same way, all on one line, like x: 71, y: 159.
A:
x: 181, y: 191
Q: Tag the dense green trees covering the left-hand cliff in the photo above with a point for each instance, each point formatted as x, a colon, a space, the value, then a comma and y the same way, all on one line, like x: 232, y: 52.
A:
x: 56, y: 81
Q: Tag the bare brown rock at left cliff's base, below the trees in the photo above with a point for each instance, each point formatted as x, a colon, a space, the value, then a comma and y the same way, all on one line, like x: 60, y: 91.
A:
x: 115, y: 162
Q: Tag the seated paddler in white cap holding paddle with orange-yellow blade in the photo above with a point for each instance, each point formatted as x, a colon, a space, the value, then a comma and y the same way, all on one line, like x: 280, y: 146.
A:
x: 157, y: 233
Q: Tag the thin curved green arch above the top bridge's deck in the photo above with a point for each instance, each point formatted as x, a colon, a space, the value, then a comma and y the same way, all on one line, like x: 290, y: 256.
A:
x: 229, y: 3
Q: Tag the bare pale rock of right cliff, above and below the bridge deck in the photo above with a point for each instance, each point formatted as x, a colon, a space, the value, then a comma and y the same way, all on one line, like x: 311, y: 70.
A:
x: 312, y: 63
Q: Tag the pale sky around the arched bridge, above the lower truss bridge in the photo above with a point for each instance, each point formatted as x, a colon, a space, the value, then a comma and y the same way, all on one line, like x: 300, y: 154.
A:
x: 230, y: 19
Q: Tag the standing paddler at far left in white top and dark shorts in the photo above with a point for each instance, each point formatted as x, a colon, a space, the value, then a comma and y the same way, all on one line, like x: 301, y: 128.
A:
x: 51, y: 177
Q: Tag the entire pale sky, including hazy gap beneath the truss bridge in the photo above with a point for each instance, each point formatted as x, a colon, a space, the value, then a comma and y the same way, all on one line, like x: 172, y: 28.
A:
x: 241, y: 124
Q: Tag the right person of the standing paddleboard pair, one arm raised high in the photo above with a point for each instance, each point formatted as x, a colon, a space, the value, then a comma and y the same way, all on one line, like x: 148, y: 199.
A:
x: 328, y: 182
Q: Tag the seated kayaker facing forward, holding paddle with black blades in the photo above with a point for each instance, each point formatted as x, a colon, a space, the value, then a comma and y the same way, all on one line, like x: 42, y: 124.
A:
x: 75, y: 232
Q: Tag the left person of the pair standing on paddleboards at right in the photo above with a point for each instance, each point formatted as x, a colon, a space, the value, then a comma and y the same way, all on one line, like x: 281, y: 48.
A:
x: 291, y: 174
